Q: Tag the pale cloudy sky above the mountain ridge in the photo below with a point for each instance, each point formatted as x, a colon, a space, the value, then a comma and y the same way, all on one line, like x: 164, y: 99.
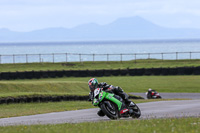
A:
x: 29, y: 15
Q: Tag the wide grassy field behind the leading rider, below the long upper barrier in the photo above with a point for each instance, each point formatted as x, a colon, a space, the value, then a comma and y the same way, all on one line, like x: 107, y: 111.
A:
x: 78, y: 86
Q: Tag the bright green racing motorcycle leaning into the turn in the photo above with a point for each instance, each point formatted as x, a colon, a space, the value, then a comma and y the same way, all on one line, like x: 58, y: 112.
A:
x: 113, y: 106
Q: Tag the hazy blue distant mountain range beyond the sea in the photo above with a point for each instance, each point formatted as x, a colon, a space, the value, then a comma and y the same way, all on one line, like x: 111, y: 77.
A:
x: 132, y: 28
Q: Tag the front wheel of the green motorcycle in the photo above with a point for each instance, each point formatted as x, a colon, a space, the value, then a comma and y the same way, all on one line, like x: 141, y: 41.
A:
x: 112, y: 113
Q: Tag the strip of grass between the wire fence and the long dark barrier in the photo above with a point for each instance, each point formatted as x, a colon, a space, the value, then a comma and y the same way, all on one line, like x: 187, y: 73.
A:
x: 97, y: 65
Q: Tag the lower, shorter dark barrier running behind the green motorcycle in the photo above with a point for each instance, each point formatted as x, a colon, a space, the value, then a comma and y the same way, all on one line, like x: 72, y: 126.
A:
x: 29, y: 99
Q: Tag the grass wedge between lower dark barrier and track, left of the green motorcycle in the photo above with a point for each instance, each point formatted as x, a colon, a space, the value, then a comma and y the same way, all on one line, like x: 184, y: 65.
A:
x: 22, y: 109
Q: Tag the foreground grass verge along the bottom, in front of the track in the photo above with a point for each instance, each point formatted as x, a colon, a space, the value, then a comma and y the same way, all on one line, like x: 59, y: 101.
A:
x: 175, y: 125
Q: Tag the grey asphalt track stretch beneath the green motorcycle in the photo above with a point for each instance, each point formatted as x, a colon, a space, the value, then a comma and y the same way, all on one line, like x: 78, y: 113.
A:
x: 160, y: 109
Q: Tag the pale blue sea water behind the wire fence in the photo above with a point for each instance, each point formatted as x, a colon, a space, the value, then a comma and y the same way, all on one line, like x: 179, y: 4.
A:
x: 96, y: 51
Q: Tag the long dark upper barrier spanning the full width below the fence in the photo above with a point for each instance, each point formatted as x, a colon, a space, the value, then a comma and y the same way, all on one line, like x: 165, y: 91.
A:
x: 99, y: 73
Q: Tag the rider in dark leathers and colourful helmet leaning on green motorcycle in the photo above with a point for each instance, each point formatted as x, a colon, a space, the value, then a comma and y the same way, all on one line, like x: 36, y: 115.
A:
x: 93, y: 84
